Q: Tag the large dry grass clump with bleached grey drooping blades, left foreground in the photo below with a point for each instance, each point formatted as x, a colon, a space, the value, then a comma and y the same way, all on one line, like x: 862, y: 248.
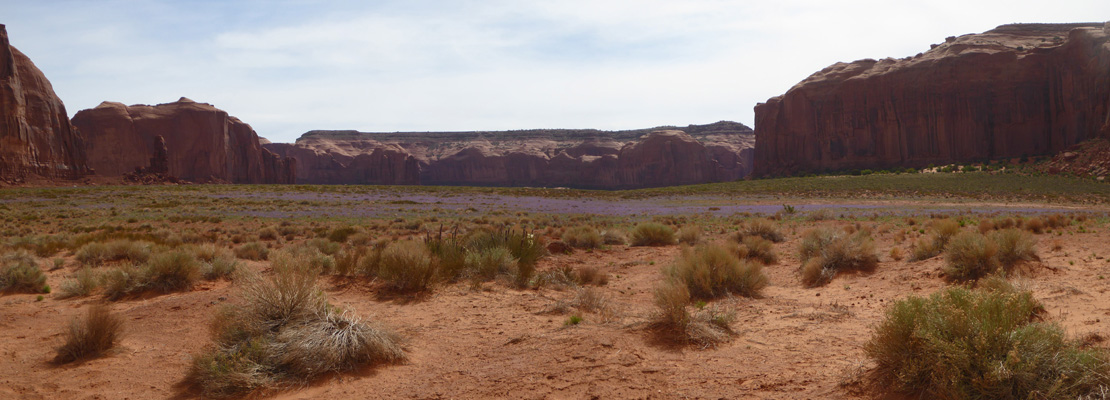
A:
x: 286, y: 334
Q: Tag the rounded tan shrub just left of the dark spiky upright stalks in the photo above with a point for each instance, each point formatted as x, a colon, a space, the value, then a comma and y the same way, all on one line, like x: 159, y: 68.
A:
x: 407, y: 266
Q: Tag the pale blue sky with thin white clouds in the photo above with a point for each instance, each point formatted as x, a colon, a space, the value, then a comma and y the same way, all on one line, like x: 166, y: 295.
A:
x: 287, y: 67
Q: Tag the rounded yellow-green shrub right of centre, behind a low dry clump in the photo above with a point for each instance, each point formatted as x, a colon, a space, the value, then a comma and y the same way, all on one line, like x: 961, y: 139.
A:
x: 711, y: 272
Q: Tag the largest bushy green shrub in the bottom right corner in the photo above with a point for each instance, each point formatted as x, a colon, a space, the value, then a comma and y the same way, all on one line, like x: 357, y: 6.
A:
x: 984, y: 344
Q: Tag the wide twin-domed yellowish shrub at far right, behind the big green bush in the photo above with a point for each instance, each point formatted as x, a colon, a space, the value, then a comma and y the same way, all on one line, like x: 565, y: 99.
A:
x: 972, y: 256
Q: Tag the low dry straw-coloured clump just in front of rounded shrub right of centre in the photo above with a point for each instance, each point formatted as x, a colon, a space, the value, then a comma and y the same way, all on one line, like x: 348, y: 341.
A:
x: 705, y: 328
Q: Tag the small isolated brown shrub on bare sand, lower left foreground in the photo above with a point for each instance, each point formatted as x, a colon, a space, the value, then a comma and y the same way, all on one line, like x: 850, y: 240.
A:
x: 98, y: 333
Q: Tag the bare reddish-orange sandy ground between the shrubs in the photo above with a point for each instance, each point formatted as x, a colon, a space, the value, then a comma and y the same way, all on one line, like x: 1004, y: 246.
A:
x: 492, y: 341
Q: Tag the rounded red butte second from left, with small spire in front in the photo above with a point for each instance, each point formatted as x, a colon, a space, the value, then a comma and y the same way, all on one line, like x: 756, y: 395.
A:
x: 203, y: 144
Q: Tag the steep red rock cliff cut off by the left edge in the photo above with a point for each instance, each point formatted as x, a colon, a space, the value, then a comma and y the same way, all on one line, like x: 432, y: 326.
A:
x: 36, y: 136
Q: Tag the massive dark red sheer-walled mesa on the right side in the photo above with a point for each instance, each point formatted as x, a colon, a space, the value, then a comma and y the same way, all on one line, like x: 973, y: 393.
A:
x: 1017, y: 91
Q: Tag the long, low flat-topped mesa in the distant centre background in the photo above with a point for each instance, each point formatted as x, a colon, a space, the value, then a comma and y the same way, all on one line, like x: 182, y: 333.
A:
x: 537, y: 158
